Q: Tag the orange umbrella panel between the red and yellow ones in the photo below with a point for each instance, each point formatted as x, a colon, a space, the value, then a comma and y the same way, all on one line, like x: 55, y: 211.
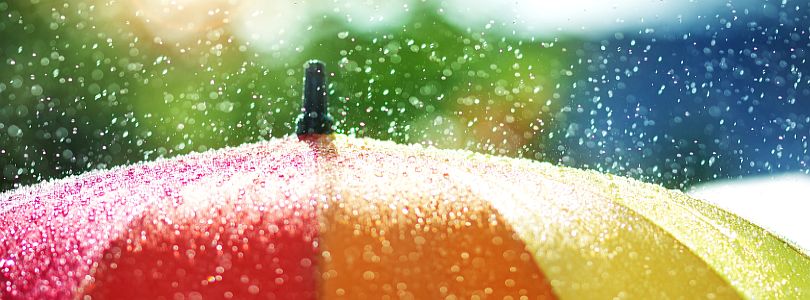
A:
x: 381, y: 238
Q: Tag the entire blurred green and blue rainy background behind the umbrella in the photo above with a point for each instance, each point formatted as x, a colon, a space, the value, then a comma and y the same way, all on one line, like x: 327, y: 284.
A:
x: 706, y: 93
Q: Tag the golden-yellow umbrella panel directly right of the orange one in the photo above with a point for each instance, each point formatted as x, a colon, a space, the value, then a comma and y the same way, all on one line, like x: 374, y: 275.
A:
x: 589, y: 246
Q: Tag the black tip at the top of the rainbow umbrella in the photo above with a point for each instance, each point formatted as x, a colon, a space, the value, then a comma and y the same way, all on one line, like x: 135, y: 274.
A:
x: 315, y: 118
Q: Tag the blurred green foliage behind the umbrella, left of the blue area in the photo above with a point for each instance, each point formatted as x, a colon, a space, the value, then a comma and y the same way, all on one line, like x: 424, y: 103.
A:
x: 89, y: 86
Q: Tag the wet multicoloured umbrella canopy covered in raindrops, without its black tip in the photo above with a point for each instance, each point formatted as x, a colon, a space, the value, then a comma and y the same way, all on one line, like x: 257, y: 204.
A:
x: 338, y: 217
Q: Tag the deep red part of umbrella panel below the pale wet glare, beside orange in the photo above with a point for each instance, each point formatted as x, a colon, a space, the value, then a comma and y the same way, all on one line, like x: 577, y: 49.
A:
x: 240, y: 256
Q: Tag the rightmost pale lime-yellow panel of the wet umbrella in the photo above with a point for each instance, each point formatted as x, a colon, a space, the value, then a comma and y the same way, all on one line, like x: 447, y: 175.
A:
x: 759, y: 264
